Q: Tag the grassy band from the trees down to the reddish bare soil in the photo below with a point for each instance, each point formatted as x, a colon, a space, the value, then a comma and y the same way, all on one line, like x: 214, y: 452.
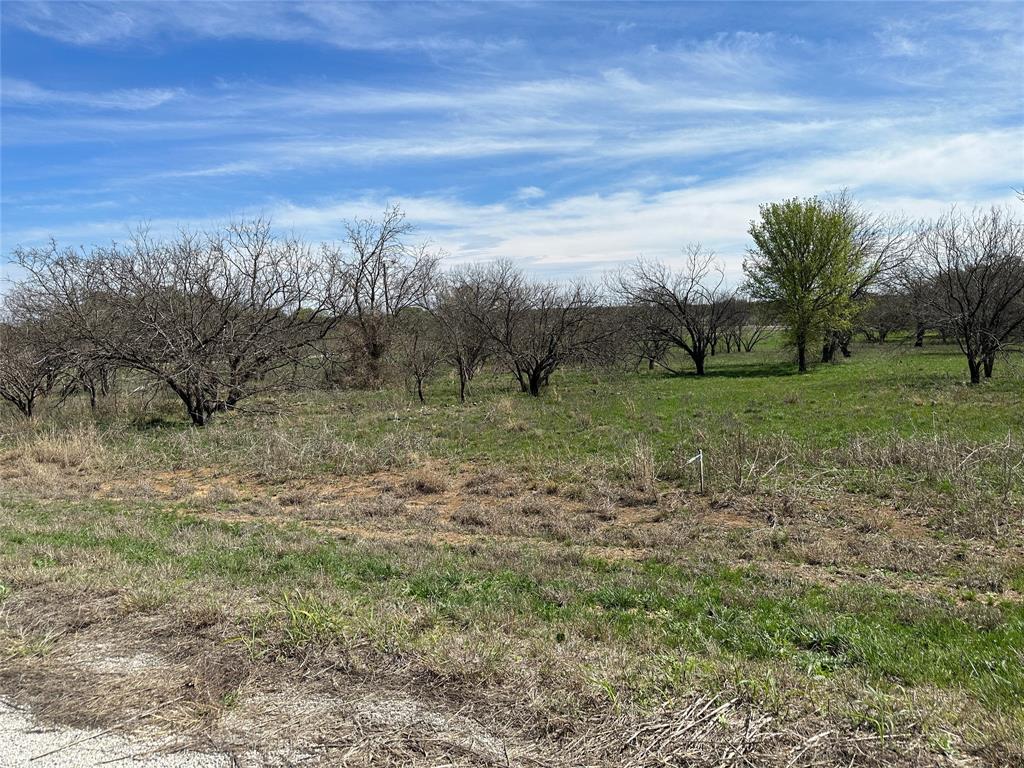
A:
x: 871, y: 425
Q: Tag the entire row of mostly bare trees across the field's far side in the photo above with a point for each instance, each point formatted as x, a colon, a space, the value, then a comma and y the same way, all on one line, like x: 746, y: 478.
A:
x: 224, y: 316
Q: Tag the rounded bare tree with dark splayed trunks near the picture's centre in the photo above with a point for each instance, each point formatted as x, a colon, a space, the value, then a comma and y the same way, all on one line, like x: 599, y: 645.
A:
x: 536, y: 327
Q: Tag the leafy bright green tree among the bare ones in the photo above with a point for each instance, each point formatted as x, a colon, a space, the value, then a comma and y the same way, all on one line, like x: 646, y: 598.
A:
x: 805, y: 265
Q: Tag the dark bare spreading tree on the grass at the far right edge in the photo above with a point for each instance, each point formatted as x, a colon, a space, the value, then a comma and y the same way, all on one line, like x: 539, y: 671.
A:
x: 968, y: 273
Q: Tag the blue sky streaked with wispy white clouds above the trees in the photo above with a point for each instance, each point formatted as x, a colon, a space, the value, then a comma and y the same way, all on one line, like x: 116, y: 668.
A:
x: 569, y: 137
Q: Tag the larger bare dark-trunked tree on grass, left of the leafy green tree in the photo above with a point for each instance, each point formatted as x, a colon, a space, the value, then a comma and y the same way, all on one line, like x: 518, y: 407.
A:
x: 690, y: 309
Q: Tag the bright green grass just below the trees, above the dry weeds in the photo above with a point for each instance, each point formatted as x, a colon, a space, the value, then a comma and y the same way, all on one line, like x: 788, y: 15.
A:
x: 883, y: 390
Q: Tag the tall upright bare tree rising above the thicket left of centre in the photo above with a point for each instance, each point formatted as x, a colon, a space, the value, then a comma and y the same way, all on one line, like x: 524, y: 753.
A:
x: 383, y: 277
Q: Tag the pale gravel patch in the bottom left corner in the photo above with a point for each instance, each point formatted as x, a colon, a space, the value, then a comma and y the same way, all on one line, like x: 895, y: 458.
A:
x: 26, y: 743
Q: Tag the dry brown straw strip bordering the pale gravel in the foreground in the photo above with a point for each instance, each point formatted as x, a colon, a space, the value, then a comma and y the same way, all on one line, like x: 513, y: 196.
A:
x: 172, y: 673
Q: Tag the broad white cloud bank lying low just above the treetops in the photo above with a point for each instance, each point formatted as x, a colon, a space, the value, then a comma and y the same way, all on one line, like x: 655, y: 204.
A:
x: 594, y: 232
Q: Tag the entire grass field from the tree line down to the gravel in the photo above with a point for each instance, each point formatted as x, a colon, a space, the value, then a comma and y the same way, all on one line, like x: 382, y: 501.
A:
x: 362, y: 580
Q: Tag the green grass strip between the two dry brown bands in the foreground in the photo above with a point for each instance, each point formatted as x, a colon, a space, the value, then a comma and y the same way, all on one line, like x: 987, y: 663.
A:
x: 716, y: 614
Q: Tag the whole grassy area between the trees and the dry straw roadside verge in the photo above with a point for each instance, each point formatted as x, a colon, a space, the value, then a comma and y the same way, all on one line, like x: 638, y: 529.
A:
x: 857, y: 553
